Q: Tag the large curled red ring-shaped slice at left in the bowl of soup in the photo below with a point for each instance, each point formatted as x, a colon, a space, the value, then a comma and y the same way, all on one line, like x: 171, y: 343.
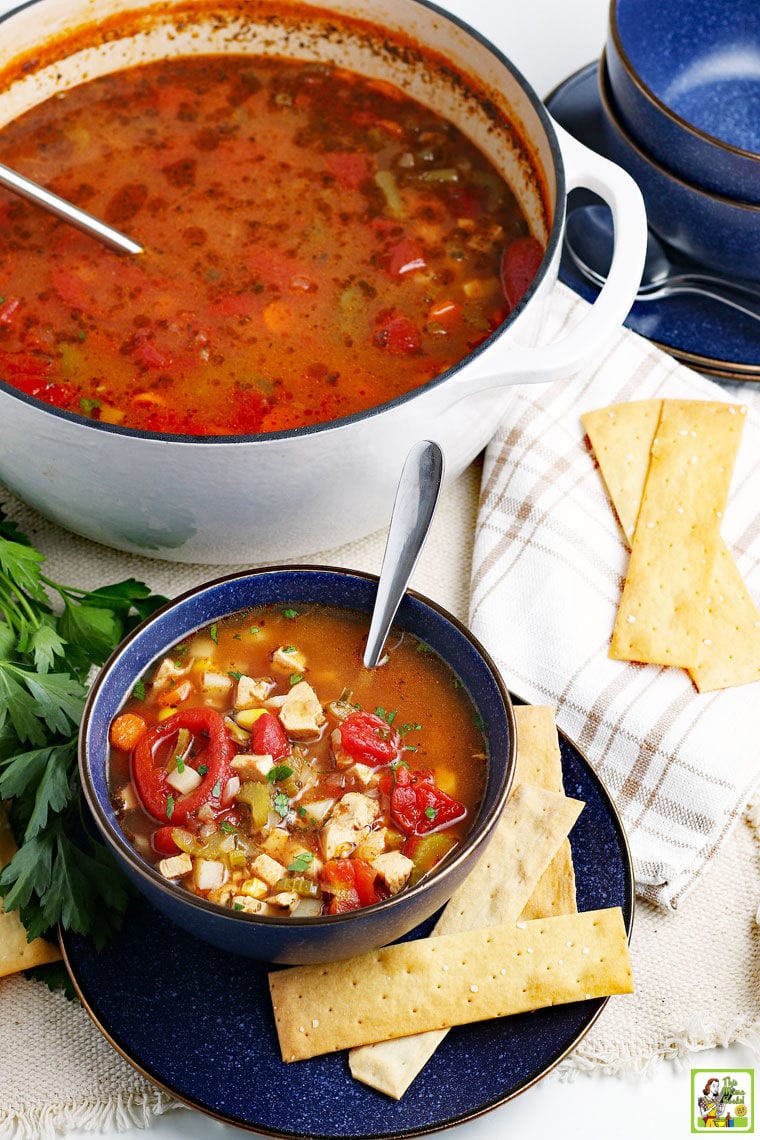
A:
x: 154, y: 747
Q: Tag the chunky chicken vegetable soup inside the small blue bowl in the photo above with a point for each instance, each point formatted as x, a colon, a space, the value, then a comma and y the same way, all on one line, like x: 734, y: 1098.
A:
x: 410, y: 724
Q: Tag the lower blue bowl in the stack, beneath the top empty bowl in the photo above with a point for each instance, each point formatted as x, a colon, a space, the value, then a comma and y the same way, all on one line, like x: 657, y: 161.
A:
x: 713, y: 231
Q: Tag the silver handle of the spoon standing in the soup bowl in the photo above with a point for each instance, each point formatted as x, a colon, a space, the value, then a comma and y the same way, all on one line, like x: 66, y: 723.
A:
x: 413, y: 511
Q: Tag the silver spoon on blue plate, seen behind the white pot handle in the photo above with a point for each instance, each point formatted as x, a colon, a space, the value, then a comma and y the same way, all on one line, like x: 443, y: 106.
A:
x: 590, y: 243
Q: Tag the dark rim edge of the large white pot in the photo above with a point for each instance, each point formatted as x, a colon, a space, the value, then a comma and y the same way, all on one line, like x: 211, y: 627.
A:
x: 552, y: 248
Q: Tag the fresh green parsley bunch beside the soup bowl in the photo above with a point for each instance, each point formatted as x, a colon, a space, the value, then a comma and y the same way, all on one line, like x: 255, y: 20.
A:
x: 51, y: 637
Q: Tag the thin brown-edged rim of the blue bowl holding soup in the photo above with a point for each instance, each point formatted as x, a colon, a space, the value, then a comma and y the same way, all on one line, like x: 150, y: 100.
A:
x: 475, y: 841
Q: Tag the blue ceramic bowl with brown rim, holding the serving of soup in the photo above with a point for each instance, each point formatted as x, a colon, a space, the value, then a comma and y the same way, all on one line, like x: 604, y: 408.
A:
x: 307, y: 940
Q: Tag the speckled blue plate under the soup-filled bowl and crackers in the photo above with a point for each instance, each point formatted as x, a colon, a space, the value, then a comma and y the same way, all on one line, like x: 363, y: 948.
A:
x: 199, y: 1022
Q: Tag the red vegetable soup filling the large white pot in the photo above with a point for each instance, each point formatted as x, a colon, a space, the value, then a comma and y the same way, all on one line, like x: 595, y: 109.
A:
x: 316, y: 245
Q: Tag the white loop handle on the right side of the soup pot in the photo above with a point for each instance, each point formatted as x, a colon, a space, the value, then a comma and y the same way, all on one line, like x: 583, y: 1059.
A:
x: 585, y: 168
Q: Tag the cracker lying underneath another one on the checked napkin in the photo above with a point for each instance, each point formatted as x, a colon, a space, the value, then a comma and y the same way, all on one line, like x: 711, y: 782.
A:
x: 729, y: 652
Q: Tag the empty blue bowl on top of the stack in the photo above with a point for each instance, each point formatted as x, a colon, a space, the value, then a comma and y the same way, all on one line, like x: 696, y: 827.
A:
x: 687, y: 79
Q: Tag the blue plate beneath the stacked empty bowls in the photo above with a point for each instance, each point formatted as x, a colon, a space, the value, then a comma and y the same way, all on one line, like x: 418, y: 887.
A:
x: 701, y: 333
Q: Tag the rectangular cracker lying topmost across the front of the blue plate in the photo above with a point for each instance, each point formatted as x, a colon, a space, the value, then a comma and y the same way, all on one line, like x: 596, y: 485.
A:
x: 451, y: 980
